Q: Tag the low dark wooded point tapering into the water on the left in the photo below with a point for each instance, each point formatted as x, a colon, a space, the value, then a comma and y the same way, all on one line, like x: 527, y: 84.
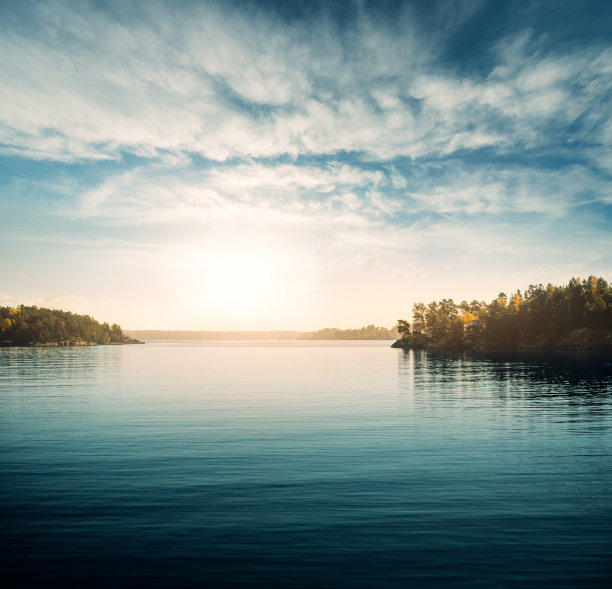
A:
x: 31, y: 326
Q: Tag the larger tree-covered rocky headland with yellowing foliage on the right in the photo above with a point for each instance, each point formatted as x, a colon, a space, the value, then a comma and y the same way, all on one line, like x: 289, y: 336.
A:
x: 577, y: 316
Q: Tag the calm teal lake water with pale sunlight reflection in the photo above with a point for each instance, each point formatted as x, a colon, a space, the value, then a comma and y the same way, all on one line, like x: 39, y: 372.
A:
x: 303, y: 465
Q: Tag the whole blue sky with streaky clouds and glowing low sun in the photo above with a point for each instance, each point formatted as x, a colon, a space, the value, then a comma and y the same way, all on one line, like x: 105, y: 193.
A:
x: 300, y: 165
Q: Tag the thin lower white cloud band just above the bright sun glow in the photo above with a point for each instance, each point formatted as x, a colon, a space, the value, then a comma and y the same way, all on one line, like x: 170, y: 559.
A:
x: 346, y: 211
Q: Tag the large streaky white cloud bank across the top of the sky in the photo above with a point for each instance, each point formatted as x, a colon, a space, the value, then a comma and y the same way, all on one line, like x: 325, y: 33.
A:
x: 86, y: 84
